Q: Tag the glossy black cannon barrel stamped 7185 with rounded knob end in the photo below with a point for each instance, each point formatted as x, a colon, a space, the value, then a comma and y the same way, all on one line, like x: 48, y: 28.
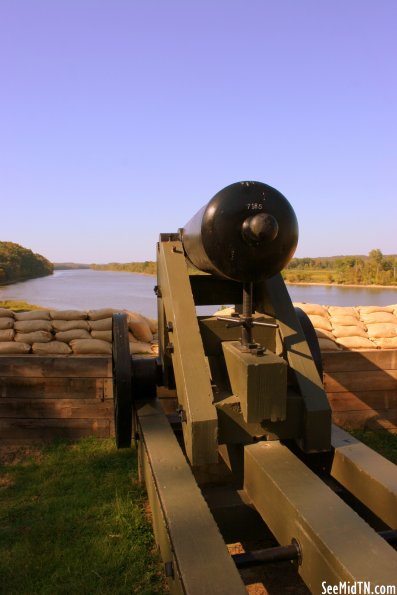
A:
x: 247, y: 232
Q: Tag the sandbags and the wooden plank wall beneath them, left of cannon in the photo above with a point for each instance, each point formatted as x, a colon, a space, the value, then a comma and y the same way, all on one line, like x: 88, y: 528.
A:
x: 56, y: 372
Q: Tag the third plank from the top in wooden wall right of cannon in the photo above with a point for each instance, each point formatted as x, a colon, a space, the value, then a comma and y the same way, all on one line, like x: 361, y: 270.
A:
x: 360, y: 400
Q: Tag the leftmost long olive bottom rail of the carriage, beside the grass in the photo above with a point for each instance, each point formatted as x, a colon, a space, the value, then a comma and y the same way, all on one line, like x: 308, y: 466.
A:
x: 184, y: 527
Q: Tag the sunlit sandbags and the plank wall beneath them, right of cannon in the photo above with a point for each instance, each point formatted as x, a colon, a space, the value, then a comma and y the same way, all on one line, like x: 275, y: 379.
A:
x: 359, y: 352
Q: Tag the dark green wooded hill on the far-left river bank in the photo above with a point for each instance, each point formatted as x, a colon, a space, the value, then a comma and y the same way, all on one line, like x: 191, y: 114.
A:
x: 18, y: 263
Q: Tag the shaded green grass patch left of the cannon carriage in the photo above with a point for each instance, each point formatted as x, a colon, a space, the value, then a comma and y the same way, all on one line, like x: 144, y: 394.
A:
x: 72, y: 520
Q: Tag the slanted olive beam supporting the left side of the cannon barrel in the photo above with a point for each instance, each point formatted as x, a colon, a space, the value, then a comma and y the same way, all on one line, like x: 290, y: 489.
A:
x: 190, y: 366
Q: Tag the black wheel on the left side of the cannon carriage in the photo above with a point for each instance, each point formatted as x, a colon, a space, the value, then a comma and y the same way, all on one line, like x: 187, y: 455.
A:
x: 122, y: 388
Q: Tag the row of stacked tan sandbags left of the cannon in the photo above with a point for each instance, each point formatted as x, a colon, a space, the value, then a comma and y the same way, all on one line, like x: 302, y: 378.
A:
x: 66, y: 332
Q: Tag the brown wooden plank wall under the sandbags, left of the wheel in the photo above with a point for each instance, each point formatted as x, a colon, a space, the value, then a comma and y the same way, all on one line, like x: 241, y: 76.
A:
x: 56, y: 396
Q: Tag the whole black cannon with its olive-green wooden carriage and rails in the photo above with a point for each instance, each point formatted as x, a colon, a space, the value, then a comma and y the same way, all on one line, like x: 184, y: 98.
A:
x: 251, y: 414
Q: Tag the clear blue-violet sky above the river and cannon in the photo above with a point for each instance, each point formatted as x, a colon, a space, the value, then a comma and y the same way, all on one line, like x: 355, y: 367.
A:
x: 119, y: 119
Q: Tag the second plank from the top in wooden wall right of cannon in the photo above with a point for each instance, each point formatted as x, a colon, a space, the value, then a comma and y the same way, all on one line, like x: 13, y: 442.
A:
x: 360, y: 381
